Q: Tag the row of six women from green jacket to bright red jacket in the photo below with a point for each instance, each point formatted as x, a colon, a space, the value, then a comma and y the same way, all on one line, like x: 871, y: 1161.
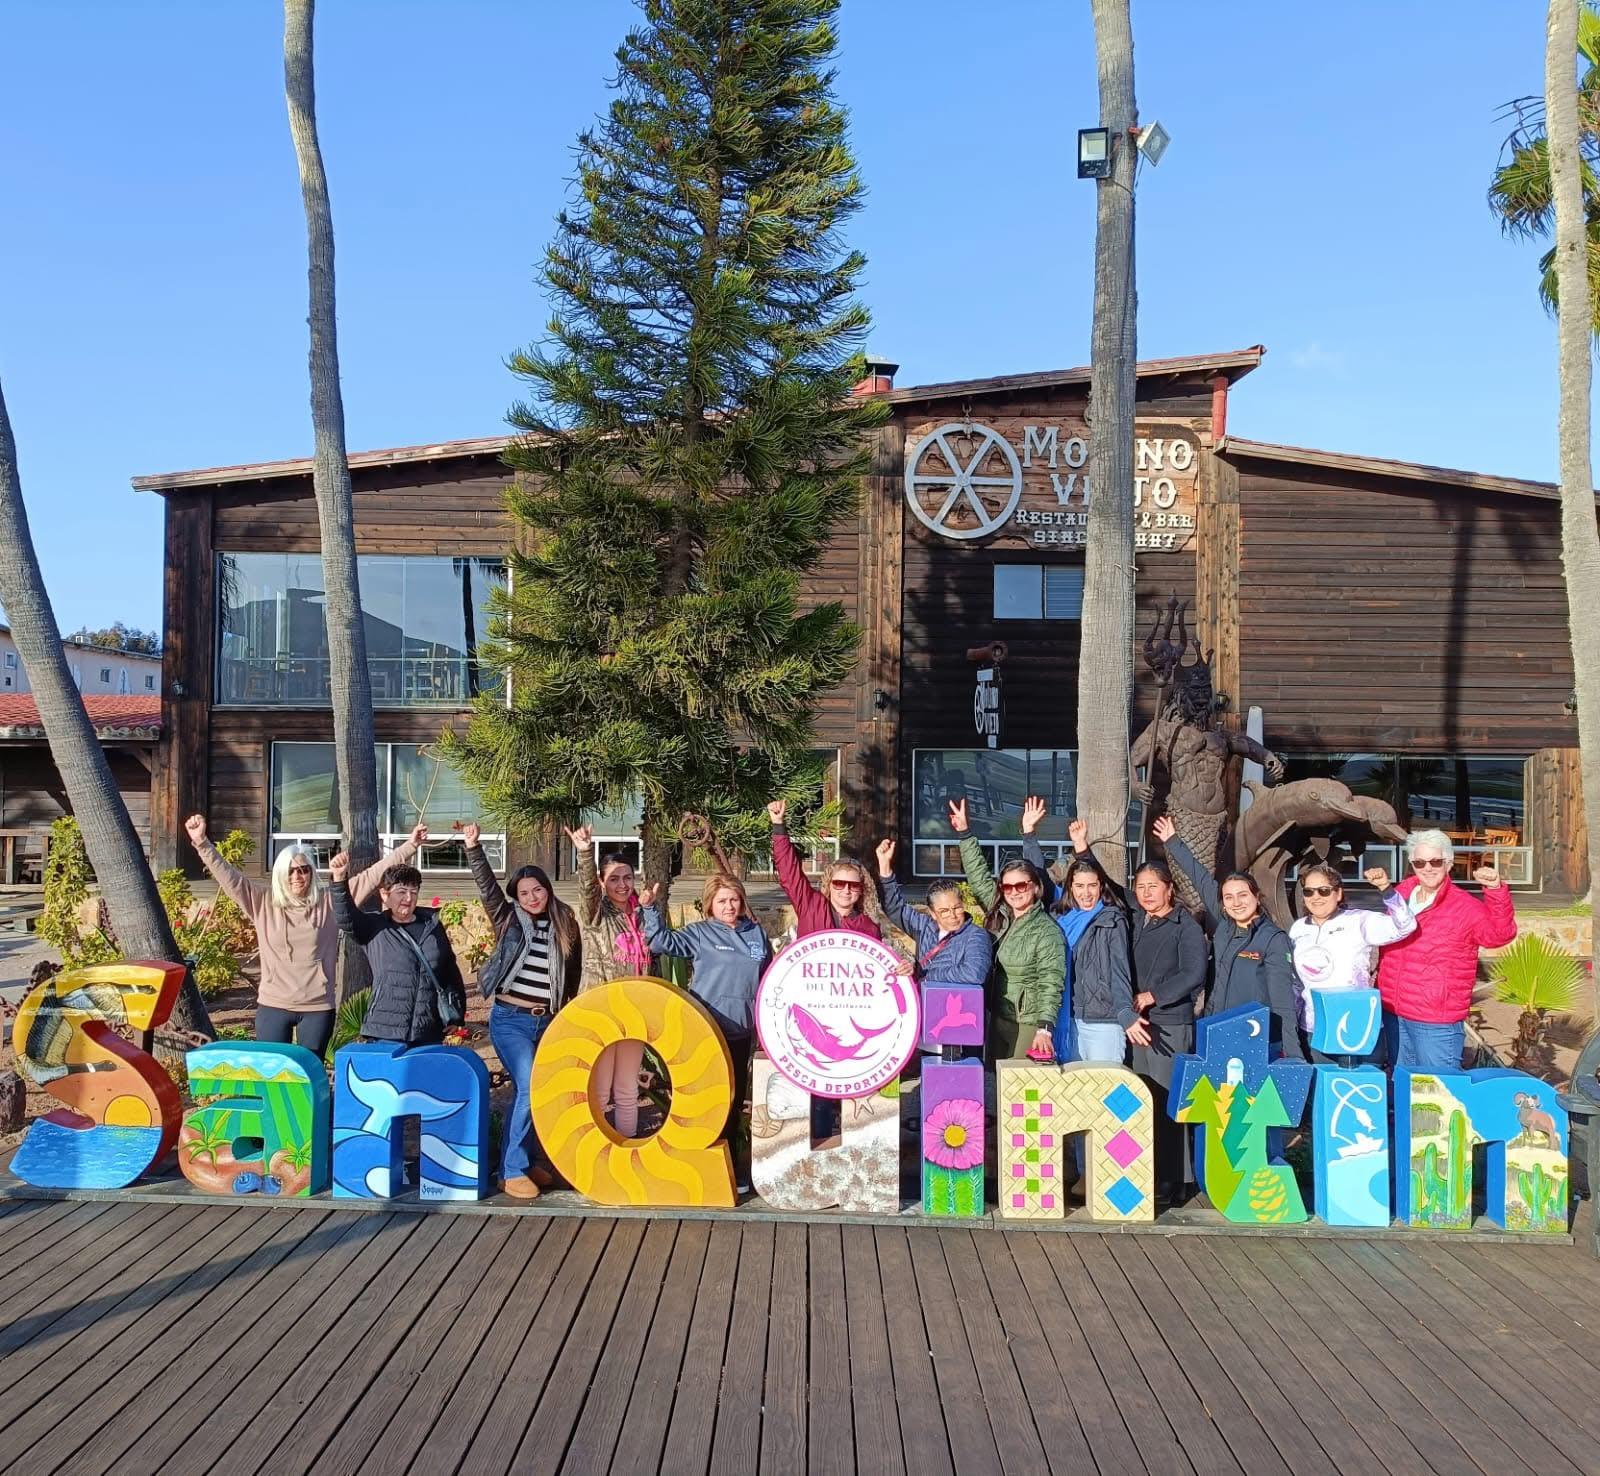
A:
x: 1081, y: 974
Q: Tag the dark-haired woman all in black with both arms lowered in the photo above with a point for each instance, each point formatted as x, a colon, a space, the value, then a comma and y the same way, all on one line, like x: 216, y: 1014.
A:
x: 1170, y: 958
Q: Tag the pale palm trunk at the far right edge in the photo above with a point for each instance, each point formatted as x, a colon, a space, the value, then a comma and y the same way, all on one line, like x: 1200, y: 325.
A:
x: 1580, y: 535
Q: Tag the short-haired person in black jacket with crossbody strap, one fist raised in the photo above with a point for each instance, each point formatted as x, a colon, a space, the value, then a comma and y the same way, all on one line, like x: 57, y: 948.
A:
x: 417, y: 984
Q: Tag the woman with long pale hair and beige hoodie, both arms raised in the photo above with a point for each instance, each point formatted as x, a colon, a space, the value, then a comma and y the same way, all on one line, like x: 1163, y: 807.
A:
x: 297, y: 934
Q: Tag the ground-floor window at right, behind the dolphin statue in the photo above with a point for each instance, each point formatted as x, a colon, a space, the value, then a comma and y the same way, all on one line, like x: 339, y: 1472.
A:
x: 1476, y: 801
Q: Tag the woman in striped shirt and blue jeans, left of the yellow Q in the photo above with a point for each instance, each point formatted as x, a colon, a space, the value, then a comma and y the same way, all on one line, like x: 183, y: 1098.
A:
x: 530, y: 976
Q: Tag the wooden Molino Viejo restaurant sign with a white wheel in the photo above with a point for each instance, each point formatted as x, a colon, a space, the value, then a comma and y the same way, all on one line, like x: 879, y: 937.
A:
x: 1030, y: 484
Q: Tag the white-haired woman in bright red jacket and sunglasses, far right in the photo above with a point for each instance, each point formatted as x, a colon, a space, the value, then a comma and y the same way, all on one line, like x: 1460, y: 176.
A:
x: 1426, y: 981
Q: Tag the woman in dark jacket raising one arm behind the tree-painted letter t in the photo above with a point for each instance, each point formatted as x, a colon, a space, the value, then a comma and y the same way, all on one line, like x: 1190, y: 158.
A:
x: 1252, y: 958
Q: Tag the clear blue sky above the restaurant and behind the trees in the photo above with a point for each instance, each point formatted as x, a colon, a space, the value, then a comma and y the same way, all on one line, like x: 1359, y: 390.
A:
x: 1324, y: 196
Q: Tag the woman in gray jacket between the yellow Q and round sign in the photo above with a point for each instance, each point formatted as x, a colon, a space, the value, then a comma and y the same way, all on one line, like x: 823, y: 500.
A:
x: 729, y: 952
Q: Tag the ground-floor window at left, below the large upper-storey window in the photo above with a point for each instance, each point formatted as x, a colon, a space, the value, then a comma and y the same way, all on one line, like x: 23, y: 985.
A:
x: 412, y: 787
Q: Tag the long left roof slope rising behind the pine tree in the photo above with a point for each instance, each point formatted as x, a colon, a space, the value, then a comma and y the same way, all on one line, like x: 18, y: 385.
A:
x: 1231, y: 366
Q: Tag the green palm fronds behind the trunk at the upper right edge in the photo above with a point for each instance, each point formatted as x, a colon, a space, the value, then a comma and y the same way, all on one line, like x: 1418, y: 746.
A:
x: 1521, y: 191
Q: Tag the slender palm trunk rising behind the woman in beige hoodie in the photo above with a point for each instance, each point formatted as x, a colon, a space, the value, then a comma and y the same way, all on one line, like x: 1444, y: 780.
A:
x: 350, y: 680
